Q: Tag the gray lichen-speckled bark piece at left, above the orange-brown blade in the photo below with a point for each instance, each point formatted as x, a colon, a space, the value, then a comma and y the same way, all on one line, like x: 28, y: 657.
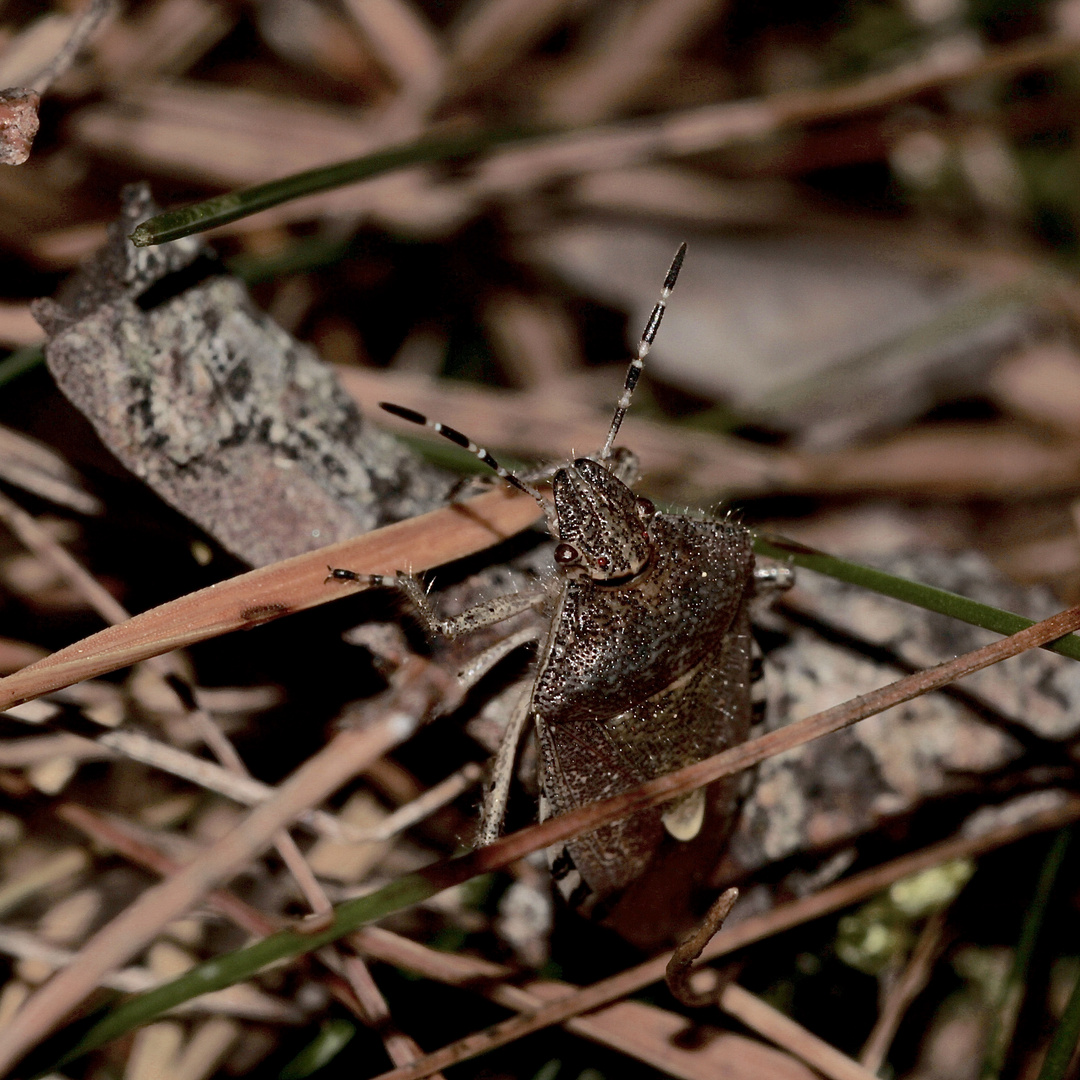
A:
x: 228, y: 418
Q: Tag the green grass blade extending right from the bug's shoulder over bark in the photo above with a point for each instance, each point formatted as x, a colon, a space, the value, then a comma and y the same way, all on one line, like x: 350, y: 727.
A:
x: 911, y: 592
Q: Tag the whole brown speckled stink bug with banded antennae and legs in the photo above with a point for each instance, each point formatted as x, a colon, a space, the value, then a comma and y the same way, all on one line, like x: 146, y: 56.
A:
x: 644, y: 668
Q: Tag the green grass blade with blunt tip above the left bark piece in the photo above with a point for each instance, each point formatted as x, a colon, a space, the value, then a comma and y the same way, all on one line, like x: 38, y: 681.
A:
x: 221, y: 210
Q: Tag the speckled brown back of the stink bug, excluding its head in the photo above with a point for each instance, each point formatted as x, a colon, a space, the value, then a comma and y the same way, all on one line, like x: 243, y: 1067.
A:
x: 639, y: 681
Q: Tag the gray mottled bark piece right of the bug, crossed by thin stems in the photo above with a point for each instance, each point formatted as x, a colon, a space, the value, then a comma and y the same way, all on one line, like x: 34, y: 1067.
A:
x: 836, y: 789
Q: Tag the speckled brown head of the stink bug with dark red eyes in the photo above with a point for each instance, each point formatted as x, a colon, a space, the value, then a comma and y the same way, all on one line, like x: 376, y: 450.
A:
x: 603, y: 526
